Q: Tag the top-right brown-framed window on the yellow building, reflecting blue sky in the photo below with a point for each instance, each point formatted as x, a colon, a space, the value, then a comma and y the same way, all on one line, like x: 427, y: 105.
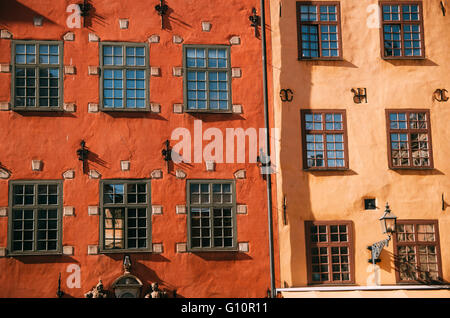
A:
x: 402, y: 35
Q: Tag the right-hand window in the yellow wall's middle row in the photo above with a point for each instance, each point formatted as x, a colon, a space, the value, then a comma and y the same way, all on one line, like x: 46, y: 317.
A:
x: 409, y: 139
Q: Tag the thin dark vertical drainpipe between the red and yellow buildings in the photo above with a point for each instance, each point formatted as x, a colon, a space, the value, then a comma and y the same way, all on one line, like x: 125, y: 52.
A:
x: 267, y: 145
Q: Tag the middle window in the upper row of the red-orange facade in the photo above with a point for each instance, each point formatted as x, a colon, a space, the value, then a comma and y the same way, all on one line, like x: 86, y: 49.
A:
x: 124, y: 76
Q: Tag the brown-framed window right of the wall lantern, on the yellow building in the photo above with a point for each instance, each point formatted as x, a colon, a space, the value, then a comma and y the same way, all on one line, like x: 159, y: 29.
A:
x: 417, y: 251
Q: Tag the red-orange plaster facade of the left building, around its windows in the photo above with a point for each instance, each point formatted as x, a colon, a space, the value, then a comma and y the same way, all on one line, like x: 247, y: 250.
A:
x: 53, y: 138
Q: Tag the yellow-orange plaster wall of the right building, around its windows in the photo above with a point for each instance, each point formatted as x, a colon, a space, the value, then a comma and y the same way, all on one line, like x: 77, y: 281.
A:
x: 327, y: 195
